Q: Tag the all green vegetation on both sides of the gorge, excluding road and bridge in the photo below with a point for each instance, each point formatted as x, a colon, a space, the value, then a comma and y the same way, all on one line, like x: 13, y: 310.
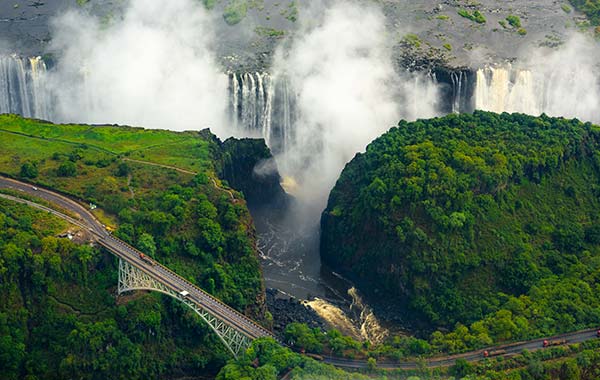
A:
x: 483, y: 227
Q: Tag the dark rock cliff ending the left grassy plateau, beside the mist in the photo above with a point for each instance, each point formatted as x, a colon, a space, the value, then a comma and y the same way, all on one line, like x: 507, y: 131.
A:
x: 249, y: 167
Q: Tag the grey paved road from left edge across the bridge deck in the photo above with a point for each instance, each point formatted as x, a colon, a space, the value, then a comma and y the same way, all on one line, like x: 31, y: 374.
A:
x: 126, y: 252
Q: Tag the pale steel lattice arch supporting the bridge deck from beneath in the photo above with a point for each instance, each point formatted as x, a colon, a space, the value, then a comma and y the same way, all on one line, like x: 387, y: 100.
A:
x: 131, y: 278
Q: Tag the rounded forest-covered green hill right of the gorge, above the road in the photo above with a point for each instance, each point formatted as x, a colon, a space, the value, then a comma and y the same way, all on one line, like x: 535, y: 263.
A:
x: 486, y: 220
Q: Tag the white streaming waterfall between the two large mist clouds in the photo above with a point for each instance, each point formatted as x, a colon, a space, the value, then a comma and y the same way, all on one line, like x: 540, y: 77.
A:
x: 262, y: 105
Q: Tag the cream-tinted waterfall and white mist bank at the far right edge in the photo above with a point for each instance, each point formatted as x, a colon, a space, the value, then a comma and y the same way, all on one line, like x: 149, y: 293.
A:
x: 561, y: 82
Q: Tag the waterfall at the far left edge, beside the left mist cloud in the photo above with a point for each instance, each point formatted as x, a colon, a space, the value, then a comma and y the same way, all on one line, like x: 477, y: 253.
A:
x: 23, y: 87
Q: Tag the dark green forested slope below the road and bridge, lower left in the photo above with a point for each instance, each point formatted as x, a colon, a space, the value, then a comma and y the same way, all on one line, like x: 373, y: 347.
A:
x: 59, y: 318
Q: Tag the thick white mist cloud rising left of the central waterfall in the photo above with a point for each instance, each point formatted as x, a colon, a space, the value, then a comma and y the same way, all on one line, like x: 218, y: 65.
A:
x: 153, y: 67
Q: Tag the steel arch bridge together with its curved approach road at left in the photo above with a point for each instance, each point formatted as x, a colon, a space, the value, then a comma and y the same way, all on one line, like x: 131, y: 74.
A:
x: 233, y: 328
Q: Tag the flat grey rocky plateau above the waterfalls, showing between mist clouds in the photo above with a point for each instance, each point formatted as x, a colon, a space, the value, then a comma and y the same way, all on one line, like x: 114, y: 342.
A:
x: 443, y: 37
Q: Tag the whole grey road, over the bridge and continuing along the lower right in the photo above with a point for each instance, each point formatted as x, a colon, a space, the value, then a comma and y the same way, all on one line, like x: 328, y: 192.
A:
x: 242, y: 323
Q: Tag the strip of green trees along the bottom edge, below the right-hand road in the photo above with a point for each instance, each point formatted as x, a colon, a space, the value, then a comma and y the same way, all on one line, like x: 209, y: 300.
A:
x: 268, y: 360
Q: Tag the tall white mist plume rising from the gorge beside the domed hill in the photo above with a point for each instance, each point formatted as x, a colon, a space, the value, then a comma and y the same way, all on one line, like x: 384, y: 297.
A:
x: 340, y: 66
